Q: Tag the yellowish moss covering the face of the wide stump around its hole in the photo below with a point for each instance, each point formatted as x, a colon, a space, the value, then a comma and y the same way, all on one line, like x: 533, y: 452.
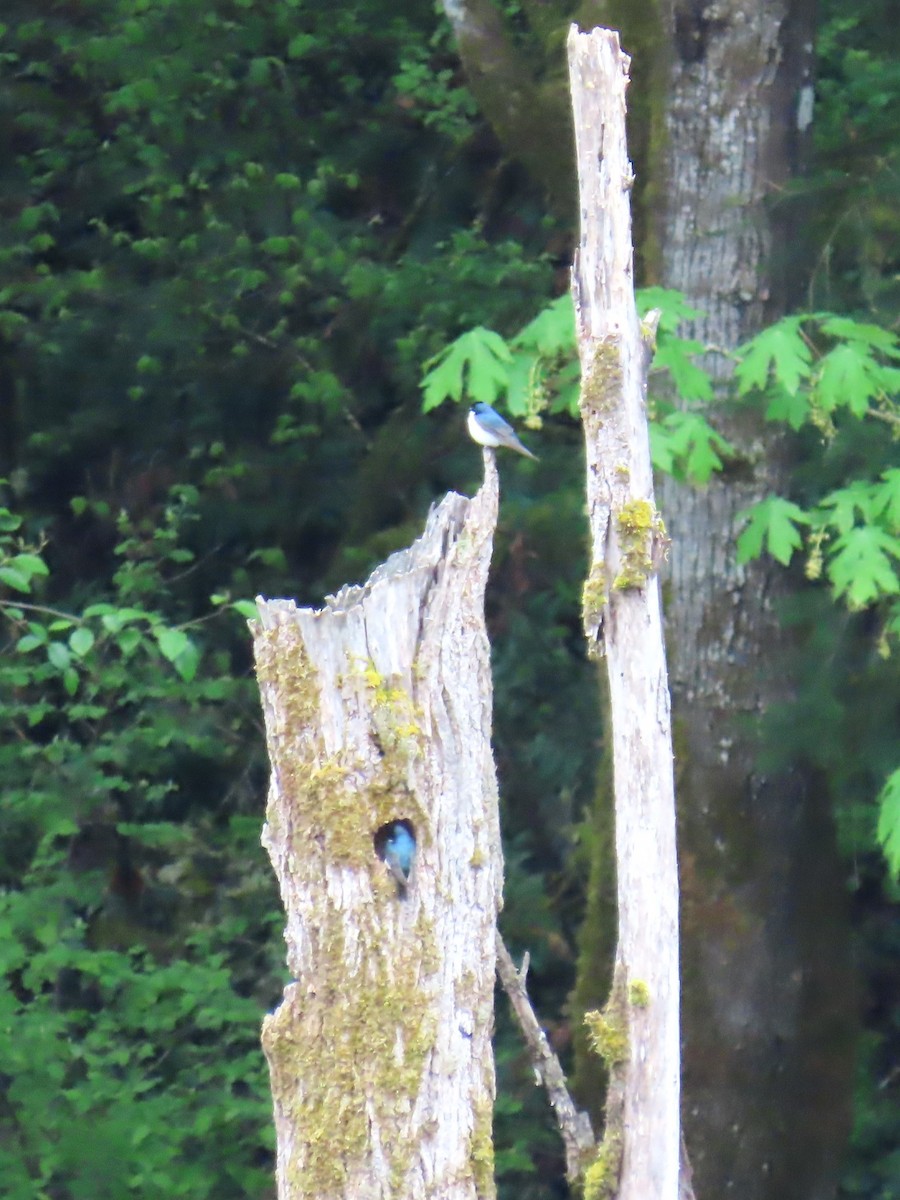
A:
x: 349, y: 1047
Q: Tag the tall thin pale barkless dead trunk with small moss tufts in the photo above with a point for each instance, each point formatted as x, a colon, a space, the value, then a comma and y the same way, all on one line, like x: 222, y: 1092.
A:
x: 639, y: 1031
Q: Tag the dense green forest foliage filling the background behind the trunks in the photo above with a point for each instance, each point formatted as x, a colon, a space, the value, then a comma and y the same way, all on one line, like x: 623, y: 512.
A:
x: 235, y: 238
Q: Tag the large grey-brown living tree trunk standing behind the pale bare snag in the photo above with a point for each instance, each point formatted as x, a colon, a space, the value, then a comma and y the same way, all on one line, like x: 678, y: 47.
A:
x: 769, y: 1003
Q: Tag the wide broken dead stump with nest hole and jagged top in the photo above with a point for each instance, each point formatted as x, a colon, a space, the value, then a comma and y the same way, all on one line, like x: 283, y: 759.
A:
x: 379, y: 712
